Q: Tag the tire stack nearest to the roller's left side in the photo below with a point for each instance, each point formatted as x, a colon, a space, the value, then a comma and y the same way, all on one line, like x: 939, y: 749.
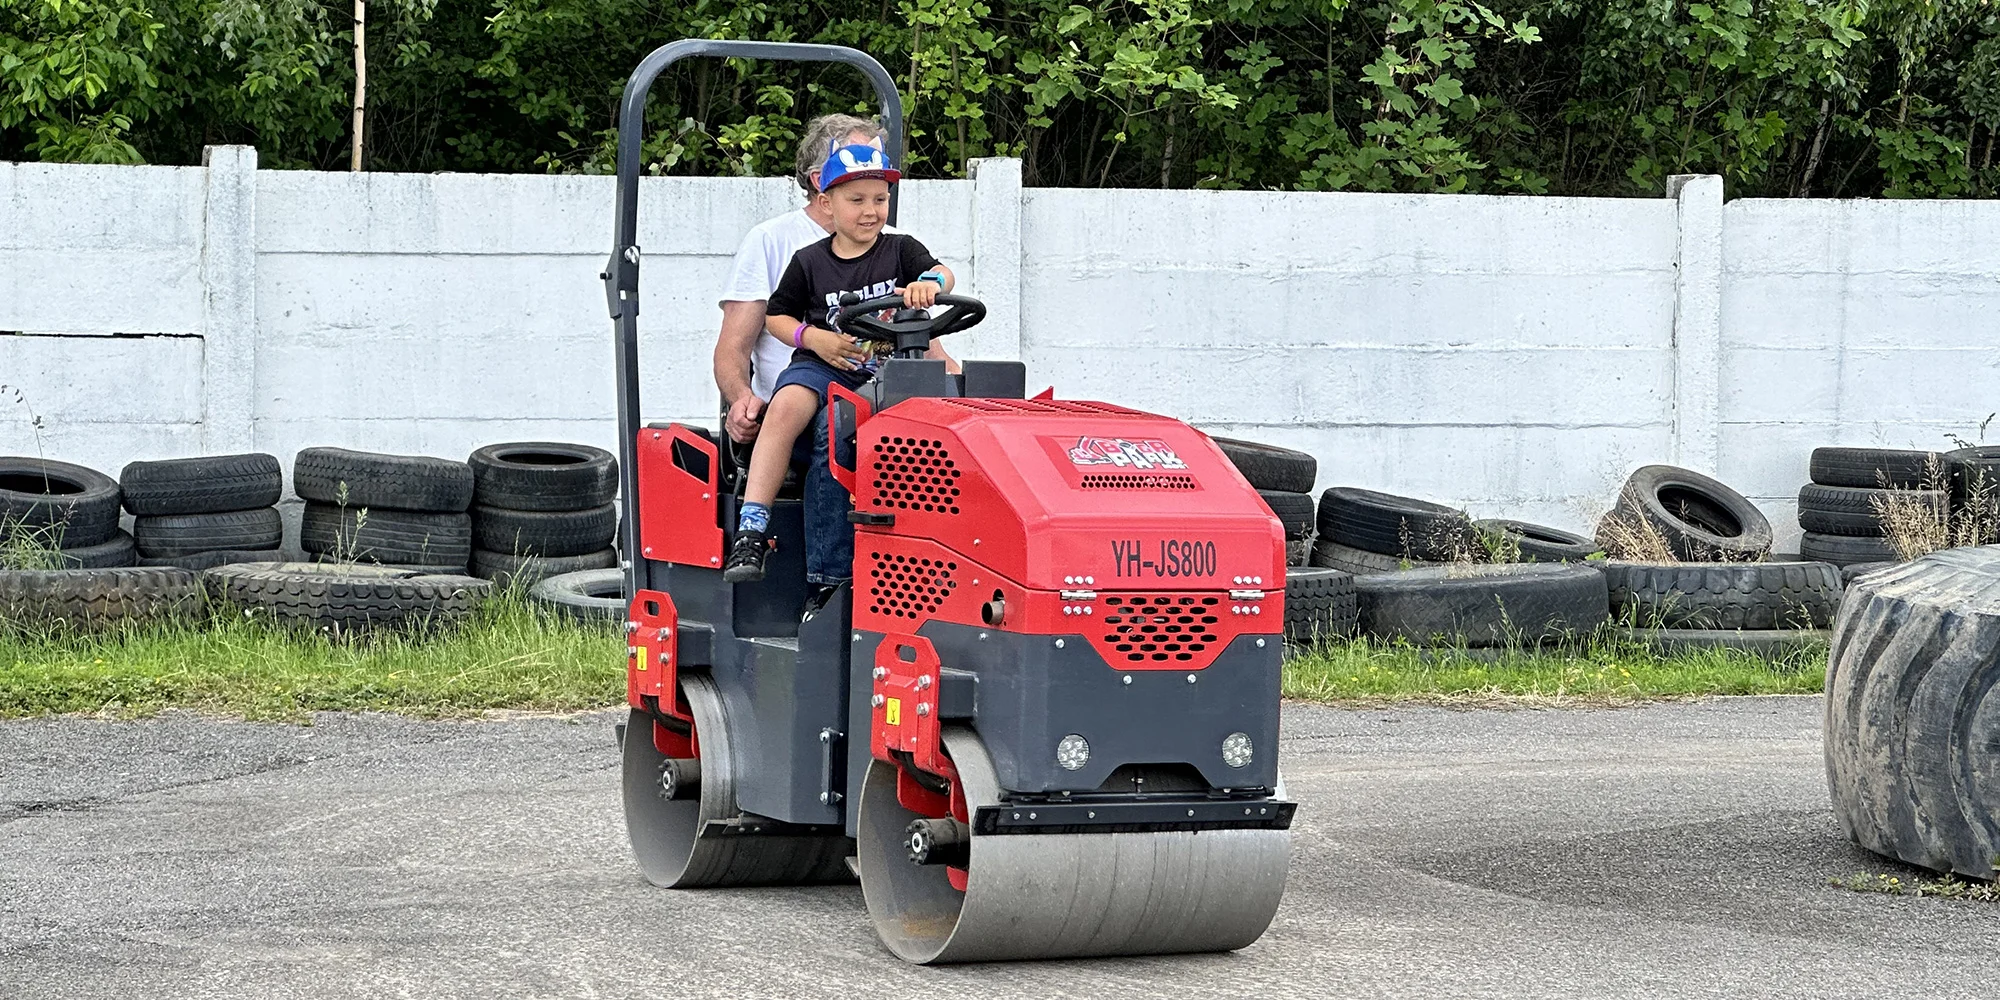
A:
x: 543, y: 509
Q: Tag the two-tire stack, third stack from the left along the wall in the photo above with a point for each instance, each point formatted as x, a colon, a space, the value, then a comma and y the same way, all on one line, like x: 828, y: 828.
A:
x: 385, y: 509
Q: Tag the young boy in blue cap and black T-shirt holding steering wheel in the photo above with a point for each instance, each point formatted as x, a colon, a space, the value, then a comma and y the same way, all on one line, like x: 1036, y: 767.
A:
x: 803, y: 313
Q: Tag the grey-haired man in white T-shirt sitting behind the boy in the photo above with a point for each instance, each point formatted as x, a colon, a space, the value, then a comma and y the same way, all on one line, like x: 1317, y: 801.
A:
x: 747, y: 361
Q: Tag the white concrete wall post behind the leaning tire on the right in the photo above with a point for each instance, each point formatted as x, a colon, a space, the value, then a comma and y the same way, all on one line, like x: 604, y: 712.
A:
x: 1699, y: 321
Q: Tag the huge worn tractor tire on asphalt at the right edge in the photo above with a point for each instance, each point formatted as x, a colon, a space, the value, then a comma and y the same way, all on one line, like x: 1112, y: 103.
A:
x: 1913, y: 713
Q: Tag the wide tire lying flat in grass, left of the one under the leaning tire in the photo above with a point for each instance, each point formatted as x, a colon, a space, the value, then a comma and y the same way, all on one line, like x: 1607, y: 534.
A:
x: 1485, y: 605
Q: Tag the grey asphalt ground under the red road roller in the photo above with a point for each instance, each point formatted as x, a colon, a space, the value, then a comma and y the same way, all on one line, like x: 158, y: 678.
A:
x: 1669, y: 851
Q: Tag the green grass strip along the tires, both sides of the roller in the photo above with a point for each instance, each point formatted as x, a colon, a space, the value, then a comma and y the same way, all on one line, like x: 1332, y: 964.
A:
x: 513, y: 657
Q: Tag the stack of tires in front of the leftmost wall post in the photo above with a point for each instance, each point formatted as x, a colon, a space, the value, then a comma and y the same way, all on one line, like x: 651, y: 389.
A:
x: 199, y: 513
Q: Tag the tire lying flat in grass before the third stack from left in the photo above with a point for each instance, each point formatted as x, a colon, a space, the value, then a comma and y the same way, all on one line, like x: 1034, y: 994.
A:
x: 345, y: 597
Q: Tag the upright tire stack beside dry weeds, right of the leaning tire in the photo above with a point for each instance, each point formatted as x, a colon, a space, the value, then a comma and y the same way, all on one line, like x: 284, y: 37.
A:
x: 1843, y: 509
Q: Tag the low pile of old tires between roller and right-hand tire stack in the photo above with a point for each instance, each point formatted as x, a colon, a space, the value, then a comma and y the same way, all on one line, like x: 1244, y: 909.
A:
x: 1413, y: 571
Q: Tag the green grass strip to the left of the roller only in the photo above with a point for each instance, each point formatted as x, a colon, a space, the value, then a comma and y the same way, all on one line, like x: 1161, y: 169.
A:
x: 509, y: 657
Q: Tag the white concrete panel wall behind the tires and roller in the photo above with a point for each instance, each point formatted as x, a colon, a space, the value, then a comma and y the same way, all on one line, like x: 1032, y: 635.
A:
x: 1511, y: 355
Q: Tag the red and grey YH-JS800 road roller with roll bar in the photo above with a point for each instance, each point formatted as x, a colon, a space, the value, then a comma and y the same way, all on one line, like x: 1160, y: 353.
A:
x: 1043, y: 719
